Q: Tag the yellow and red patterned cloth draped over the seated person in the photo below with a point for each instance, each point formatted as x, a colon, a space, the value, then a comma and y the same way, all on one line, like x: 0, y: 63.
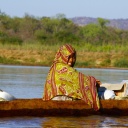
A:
x: 65, y: 80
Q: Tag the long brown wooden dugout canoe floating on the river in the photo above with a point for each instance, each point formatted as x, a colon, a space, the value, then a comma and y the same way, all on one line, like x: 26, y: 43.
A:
x: 40, y: 108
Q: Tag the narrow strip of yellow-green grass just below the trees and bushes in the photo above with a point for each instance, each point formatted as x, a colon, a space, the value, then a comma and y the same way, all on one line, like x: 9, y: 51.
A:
x: 83, y: 47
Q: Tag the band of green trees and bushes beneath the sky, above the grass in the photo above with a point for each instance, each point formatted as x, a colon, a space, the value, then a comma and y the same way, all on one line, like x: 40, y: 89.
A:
x: 58, y: 29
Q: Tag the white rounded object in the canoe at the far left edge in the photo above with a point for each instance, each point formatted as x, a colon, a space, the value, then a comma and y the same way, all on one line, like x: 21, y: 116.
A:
x: 4, y: 96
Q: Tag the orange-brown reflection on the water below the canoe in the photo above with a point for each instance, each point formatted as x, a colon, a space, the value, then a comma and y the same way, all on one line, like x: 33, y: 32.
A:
x: 71, y: 122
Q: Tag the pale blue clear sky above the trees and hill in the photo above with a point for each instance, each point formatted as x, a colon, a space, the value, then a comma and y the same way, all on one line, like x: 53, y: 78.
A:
x: 109, y: 9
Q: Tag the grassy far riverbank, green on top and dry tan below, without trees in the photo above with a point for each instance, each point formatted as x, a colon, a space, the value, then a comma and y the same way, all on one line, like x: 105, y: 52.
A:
x: 87, y: 55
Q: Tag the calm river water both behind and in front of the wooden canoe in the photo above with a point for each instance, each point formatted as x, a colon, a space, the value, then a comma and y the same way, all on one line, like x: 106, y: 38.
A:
x: 28, y: 82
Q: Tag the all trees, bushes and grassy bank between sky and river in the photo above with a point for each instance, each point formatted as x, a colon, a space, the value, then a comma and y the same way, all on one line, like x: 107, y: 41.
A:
x: 34, y: 40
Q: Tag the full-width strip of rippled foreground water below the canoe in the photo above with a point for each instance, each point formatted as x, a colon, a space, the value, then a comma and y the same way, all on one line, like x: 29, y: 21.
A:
x: 95, y: 121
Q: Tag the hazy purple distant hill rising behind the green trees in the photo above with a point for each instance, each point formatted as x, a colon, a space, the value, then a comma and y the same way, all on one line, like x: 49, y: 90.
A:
x: 116, y: 23
